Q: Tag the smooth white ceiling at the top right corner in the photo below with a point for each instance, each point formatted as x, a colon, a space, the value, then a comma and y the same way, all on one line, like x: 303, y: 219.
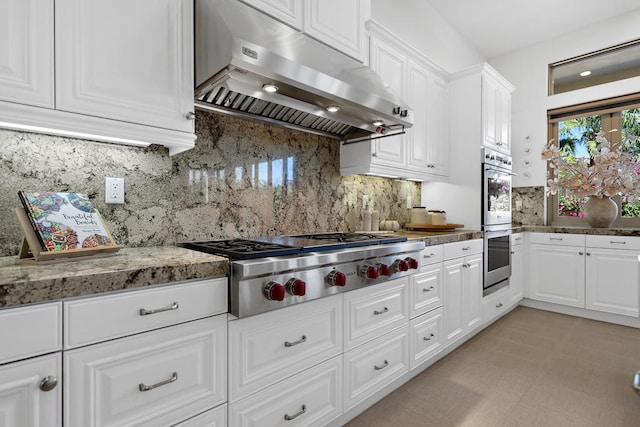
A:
x: 496, y: 27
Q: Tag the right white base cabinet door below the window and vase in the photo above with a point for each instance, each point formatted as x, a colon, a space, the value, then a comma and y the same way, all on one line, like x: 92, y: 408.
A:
x: 612, y: 281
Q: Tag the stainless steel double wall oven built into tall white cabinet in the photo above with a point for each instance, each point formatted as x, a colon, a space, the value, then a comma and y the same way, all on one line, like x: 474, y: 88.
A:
x: 496, y: 218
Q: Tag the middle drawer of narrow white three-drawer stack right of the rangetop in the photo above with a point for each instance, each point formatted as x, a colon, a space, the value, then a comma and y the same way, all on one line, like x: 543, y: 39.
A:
x: 426, y: 289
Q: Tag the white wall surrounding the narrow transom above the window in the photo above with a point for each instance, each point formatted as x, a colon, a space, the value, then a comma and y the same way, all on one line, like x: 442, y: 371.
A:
x: 527, y: 69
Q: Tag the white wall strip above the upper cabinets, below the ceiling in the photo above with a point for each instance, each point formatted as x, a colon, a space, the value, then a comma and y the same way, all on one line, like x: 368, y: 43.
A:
x: 425, y: 29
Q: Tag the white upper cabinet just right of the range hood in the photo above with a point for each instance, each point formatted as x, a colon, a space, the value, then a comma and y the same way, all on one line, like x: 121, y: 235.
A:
x: 422, y: 153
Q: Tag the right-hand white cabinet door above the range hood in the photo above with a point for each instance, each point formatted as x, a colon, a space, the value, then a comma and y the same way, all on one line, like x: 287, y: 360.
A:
x: 339, y: 24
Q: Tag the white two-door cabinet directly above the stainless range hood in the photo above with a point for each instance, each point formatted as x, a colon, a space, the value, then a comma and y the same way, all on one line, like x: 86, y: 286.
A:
x: 337, y: 23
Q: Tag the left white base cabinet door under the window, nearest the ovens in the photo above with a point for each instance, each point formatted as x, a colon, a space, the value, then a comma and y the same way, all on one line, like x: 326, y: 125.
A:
x: 557, y: 274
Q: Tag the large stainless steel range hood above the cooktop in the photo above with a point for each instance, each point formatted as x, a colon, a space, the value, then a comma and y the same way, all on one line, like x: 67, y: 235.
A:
x: 239, y: 51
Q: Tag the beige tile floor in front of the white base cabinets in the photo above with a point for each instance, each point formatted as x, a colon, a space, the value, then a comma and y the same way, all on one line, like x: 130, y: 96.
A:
x: 530, y: 368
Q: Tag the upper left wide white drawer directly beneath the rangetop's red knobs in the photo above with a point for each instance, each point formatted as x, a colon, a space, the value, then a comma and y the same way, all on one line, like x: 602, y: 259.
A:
x: 269, y: 347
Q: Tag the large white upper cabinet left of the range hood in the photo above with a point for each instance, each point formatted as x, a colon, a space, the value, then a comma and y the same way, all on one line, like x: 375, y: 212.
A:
x: 122, y: 71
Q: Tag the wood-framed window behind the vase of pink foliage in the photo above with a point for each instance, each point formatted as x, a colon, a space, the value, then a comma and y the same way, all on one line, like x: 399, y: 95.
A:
x: 574, y: 129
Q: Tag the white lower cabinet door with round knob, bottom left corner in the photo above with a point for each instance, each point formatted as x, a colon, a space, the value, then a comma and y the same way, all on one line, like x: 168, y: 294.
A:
x: 23, y: 402
